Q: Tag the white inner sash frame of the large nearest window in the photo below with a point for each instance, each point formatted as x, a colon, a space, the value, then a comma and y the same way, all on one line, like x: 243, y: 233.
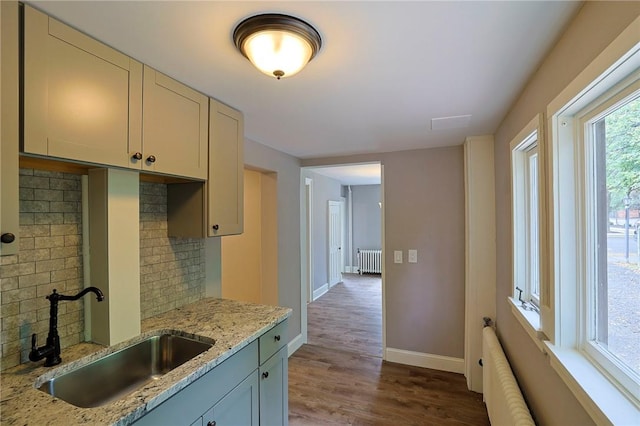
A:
x: 589, y: 144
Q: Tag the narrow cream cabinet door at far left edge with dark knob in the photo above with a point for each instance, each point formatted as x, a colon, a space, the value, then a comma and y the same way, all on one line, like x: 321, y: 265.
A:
x: 9, y: 127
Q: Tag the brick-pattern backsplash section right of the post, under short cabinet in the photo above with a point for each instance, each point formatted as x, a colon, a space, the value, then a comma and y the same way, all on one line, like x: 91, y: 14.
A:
x: 171, y: 269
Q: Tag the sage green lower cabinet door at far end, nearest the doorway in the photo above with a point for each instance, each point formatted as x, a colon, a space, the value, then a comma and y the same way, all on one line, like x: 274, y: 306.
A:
x: 274, y: 388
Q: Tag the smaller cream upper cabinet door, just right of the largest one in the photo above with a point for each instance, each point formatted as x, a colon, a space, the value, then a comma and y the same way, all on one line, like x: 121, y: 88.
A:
x: 175, y: 127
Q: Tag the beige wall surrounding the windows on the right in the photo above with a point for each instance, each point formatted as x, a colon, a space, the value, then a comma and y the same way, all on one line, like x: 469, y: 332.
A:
x: 594, y: 27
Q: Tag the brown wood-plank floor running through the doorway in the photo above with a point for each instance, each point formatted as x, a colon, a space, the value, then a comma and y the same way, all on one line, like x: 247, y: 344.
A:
x: 339, y: 378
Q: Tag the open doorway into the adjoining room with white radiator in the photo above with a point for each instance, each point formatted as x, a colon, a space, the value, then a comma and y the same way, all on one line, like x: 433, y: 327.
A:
x: 330, y: 246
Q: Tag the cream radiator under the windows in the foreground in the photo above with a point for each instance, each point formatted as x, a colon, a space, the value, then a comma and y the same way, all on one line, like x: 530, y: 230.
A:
x: 503, y: 398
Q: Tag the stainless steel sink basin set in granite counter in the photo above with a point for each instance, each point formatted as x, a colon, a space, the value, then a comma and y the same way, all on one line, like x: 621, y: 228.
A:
x: 118, y: 374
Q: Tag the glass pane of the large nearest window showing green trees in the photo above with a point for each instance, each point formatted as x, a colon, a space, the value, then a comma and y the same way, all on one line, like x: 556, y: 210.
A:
x: 617, y: 194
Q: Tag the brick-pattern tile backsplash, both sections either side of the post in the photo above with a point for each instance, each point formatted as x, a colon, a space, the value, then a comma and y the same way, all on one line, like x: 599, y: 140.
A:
x: 50, y: 256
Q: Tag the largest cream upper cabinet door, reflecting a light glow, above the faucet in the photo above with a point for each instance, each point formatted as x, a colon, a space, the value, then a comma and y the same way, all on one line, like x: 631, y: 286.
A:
x: 82, y: 99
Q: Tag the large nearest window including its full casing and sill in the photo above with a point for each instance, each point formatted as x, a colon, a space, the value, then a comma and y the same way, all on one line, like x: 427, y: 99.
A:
x: 594, y: 190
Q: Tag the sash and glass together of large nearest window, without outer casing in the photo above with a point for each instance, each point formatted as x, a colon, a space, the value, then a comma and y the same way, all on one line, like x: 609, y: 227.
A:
x: 609, y: 140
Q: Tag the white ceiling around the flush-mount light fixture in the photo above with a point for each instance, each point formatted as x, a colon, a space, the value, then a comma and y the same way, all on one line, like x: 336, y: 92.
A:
x: 386, y: 68
